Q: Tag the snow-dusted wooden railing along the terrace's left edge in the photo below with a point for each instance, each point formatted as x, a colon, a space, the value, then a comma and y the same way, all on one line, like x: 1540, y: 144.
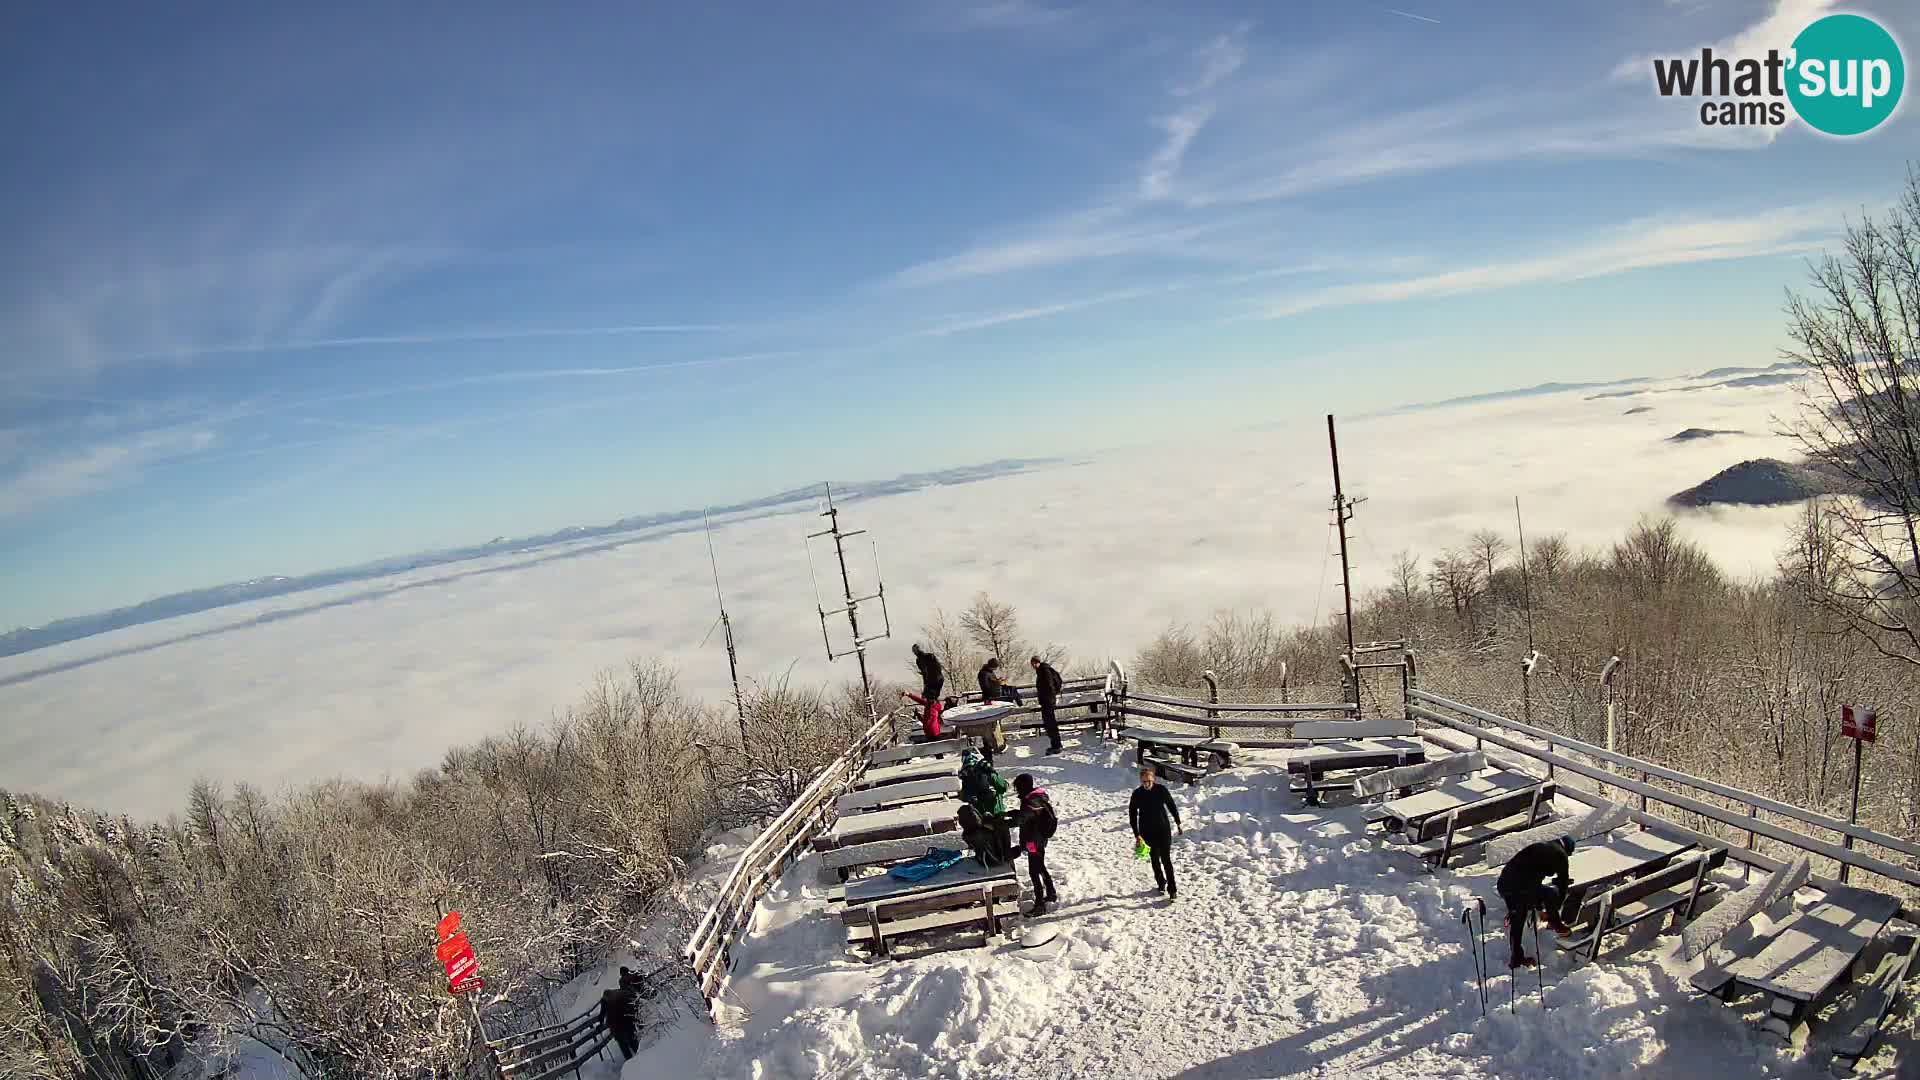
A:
x: 765, y: 858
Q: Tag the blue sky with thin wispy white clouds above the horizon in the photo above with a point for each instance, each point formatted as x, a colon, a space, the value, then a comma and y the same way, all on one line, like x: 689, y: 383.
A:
x: 299, y: 289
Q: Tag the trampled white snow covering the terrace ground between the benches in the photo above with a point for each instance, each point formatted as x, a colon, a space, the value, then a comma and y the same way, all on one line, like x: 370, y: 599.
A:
x: 1299, y: 948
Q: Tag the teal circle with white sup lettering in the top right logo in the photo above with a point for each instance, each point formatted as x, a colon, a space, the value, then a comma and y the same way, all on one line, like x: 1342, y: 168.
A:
x: 1846, y: 76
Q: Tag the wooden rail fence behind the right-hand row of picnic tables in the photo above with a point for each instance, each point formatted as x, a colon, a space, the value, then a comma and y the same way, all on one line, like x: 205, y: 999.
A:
x: 1525, y: 741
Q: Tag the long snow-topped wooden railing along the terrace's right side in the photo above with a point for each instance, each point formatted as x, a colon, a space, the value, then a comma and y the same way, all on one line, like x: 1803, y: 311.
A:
x: 1510, y: 735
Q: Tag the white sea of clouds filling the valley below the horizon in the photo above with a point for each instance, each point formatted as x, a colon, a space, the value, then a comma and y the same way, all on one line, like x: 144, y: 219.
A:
x: 1097, y: 556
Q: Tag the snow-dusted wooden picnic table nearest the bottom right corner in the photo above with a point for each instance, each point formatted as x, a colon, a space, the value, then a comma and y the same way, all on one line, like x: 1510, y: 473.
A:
x: 1806, y: 960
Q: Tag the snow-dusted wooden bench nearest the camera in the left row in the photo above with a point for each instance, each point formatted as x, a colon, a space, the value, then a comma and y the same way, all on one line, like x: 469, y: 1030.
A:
x: 884, y: 908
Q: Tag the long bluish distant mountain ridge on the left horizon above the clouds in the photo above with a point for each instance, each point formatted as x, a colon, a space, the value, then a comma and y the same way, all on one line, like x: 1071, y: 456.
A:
x: 191, y: 602
